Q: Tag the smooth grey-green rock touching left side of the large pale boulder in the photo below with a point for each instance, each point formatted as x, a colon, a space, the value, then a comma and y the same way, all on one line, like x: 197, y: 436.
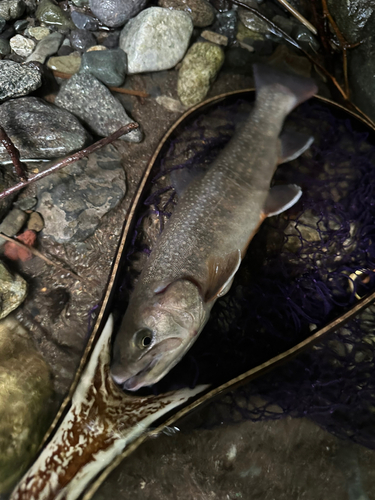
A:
x: 108, y: 66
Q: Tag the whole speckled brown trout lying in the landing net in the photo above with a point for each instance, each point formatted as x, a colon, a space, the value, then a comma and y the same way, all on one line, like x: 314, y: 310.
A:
x: 219, y: 211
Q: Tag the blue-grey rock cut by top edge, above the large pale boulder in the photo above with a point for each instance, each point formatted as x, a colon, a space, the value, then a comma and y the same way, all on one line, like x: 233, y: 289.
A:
x: 115, y: 13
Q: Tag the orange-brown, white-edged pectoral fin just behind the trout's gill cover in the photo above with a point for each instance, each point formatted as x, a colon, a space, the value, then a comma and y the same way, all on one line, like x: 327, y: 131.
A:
x: 220, y: 274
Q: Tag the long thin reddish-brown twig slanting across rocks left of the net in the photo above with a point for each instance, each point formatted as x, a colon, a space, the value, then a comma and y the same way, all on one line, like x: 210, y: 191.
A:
x: 70, y: 159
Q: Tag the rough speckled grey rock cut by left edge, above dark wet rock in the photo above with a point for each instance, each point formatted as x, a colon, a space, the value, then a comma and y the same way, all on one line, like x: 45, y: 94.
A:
x: 17, y: 80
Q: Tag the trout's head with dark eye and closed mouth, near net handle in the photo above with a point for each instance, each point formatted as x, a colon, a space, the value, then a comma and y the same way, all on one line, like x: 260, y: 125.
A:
x: 155, y: 334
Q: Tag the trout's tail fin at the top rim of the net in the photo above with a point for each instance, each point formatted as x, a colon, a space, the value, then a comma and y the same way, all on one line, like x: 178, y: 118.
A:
x: 301, y: 88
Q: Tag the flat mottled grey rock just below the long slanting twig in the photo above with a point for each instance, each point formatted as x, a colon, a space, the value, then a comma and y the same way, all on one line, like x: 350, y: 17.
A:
x: 73, y: 201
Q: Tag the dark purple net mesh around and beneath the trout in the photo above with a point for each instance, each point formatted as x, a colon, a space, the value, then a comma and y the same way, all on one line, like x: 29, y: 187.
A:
x: 294, y: 279
